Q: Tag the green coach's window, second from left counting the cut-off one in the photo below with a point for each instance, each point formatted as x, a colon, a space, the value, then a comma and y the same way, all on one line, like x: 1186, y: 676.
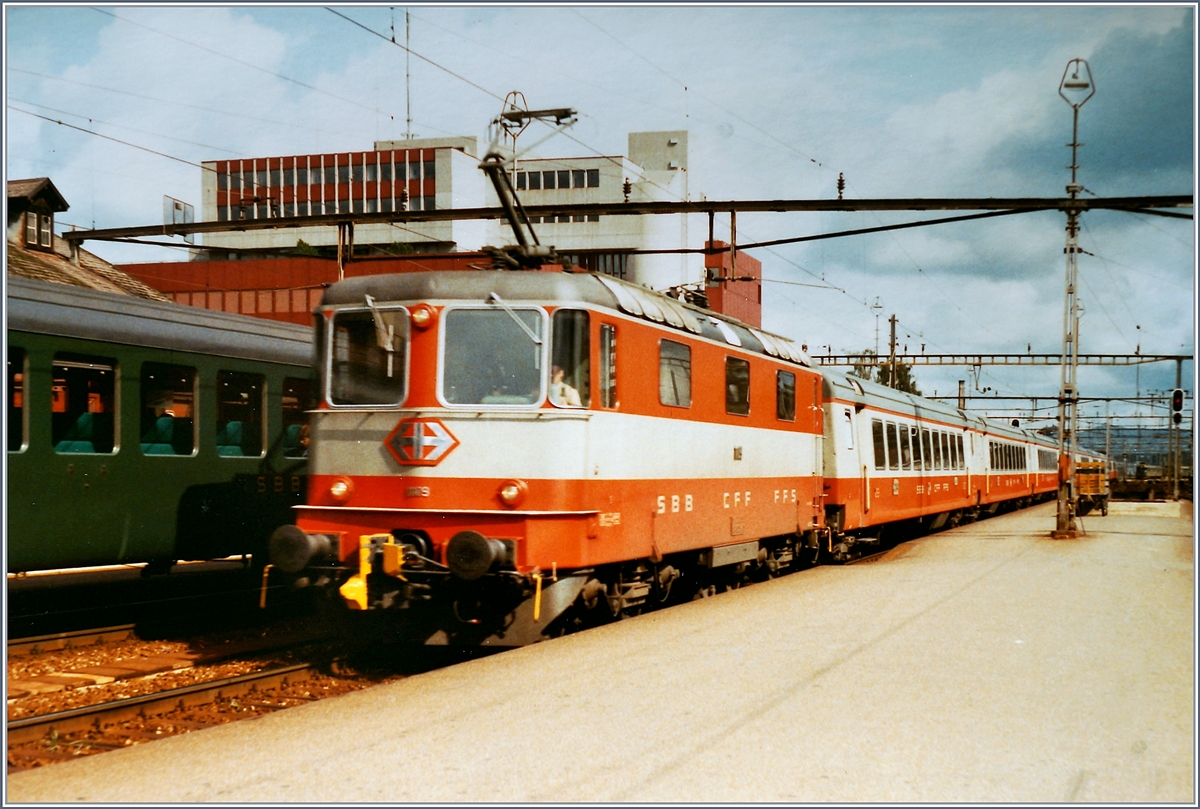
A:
x: 83, y: 404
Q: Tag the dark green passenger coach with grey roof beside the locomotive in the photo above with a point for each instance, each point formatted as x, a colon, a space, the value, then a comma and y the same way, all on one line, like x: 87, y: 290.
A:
x: 141, y: 433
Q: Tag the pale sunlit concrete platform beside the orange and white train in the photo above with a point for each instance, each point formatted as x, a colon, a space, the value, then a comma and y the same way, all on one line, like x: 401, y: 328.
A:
x: 987, y: 664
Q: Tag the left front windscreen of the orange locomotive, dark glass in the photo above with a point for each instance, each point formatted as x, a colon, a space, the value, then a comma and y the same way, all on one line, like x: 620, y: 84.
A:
x: 368, y: 357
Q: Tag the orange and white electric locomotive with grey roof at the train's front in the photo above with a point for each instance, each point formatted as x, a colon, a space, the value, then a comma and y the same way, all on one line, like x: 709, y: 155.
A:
x: 494, y: 448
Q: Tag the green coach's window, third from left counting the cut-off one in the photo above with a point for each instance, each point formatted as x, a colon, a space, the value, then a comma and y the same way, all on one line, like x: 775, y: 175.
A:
x: 169, y: 410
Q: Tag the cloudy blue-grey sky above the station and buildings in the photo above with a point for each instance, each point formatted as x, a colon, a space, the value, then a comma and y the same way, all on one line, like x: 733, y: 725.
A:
x: 778, y: 100
